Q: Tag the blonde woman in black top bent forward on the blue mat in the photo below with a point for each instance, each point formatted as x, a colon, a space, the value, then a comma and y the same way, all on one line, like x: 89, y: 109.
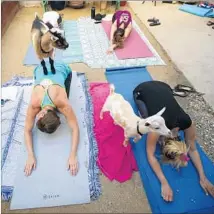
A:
x: 150, y: 97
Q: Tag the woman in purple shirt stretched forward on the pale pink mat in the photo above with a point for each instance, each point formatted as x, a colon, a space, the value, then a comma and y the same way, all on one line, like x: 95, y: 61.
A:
x: 120, y: 29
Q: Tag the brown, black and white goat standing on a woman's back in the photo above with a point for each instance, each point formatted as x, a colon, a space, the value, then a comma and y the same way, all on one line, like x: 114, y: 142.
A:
x: 45, y: 38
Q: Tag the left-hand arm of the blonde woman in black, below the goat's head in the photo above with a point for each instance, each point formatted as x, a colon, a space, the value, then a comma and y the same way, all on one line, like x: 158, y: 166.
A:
x: 166, y: 191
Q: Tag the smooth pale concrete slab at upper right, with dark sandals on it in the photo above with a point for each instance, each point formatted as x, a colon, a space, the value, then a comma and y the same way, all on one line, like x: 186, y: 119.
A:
x: 187, y: 40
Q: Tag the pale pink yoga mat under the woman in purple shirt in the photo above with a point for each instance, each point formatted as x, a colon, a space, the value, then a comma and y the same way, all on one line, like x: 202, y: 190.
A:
x: 134, y: 46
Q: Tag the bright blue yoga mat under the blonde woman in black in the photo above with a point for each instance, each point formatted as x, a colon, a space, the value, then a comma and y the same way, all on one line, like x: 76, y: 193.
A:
x: 188, y: 195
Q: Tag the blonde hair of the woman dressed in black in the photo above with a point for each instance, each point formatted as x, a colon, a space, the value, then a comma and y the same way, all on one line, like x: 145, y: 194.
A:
x: 175, y: 153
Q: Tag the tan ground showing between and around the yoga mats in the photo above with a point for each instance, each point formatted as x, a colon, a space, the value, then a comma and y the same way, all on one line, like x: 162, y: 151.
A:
x: 128, y: 197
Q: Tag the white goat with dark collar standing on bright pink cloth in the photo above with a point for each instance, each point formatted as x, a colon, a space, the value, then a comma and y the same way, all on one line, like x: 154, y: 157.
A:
x: 134, y: 126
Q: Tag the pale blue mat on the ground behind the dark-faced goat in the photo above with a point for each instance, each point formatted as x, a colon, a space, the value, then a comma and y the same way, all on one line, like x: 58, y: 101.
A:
x: 72, y: 54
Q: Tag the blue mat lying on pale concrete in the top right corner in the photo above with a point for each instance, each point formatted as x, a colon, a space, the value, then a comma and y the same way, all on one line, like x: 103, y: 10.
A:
x: 198, y: 11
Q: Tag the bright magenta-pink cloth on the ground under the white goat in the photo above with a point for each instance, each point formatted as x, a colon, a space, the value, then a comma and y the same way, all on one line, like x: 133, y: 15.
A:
x: 114, y: 160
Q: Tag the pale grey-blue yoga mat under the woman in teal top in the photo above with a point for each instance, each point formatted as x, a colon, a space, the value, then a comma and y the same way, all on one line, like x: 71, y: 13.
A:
x: 51, y: 184
